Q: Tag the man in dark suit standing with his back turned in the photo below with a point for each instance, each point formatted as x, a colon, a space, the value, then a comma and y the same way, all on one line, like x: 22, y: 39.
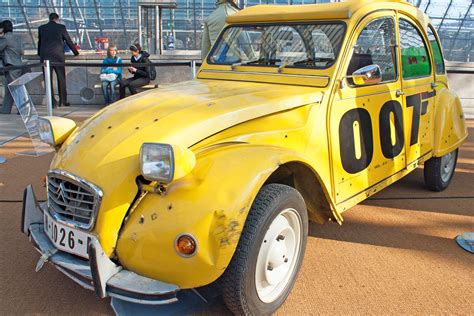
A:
x: 51, y: 38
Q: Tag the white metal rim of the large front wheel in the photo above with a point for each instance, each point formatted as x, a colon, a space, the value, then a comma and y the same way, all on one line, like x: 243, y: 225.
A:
x: 278, y: 255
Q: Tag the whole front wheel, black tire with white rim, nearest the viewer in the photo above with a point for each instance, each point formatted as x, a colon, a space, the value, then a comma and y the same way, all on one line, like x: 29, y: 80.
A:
x: 269, y: 254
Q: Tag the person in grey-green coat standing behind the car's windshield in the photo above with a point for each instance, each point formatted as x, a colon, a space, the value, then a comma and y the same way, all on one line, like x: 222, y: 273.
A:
x: 214, y: 24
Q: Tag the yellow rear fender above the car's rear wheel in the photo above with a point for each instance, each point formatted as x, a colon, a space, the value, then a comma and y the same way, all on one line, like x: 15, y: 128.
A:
x: 450, y: 128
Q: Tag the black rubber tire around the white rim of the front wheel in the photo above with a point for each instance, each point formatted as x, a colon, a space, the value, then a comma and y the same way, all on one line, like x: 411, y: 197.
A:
x: 238, y: 282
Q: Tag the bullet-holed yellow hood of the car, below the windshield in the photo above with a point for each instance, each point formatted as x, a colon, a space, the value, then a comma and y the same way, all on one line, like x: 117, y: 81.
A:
x: 181, y: 114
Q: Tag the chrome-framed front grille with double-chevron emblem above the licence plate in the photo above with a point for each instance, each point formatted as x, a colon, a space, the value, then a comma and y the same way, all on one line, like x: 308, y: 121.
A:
x: 73, y: 200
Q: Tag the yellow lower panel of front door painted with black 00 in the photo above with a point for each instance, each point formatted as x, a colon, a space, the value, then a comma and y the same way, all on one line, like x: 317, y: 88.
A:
x: 367, y: 139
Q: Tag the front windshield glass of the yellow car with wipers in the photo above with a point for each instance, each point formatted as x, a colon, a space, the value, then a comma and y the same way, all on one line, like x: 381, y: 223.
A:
x: 303, y: 45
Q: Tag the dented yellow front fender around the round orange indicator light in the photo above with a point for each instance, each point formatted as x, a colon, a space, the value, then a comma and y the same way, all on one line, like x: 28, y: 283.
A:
x: 211, y: 204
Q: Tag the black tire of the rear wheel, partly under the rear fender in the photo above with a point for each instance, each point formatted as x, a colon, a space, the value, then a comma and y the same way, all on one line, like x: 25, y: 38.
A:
x: 436, y: 177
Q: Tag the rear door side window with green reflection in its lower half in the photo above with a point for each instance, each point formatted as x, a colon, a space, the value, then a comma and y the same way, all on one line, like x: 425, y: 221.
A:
x: 415, y: 58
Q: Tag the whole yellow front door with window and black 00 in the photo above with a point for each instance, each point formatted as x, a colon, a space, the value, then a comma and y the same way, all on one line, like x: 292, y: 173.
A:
x: 366, y: 121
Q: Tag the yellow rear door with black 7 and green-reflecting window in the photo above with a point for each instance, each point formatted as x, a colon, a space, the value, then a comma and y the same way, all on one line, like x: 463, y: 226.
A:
x: 418, y: 90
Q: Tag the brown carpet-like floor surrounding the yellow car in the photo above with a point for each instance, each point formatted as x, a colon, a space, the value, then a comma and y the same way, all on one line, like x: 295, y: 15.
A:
x: 395, y: 253
